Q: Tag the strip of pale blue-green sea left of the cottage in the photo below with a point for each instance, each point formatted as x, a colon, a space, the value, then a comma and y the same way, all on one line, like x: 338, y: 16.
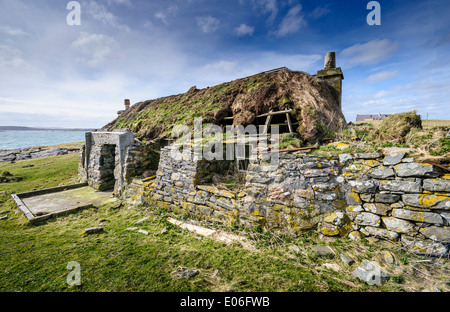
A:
x: 13, y: 139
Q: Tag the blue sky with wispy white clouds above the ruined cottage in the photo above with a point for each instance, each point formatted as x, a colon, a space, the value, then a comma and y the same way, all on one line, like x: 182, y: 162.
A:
x: 56, y: 75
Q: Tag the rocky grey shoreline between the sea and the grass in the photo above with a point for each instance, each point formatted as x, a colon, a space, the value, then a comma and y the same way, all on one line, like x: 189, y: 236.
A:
x: 32, y: 153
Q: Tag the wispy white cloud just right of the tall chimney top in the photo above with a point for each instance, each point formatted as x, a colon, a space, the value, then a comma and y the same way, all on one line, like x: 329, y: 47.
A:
x: 369, y: 53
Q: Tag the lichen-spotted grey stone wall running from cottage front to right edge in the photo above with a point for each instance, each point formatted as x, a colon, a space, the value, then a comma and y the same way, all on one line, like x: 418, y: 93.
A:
x: 389, y: 196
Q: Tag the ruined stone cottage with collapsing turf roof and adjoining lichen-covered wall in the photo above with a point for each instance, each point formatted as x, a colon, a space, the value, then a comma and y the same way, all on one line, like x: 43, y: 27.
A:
x: 287, y: 191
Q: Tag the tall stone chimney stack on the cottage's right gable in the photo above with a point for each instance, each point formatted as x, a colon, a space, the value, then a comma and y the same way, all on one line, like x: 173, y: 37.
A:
x: 332, y: 76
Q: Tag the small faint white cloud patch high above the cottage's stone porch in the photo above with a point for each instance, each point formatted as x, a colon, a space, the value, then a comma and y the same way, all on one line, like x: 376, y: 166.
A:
x: 97, y: 47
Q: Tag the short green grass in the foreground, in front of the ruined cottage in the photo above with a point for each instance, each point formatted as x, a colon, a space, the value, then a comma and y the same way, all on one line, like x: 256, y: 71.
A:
x: 35, y: 258
